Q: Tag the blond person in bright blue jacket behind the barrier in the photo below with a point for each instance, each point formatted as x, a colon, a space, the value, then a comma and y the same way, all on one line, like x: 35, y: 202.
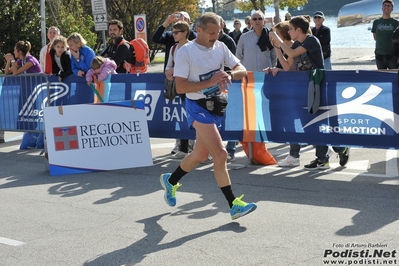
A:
x: 82, y: 55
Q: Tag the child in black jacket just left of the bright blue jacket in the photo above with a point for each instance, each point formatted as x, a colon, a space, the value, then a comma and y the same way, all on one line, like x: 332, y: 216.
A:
x: 60, y: 58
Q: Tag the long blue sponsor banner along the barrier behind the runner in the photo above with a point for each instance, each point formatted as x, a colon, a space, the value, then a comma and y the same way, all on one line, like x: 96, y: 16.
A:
x: 357, y: 108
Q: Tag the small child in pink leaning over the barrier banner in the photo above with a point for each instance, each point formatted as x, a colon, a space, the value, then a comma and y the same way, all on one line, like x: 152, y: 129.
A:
x: 100, y: 67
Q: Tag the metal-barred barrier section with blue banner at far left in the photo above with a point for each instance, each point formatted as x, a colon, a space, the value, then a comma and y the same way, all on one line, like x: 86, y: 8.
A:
x: 22, y: 99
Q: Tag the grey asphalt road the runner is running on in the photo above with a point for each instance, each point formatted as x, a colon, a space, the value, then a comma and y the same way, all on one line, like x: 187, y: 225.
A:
x: 347, y: 215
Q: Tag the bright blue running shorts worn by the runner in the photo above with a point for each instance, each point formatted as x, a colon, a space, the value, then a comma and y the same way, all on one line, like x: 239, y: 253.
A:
x: 195, y: 112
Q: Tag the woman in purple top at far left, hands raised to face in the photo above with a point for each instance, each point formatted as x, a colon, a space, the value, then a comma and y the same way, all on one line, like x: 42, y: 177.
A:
x: 25, y: 62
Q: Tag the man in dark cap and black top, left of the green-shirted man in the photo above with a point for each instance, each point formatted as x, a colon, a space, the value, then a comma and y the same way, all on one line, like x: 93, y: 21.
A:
x: 324, y: 35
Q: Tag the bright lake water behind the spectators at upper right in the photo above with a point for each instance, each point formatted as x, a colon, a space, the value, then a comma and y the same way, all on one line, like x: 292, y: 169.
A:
x: 347, y: 37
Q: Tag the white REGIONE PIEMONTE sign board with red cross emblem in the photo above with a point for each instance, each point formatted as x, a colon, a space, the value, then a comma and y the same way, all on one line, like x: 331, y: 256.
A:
x: 97, y: 137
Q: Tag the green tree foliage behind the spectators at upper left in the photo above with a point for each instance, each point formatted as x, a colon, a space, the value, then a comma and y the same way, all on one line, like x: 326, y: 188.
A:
x: 20, y: 20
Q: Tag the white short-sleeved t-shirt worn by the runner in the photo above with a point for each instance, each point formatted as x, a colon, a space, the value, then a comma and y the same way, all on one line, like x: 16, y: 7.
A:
x: 197, y: 63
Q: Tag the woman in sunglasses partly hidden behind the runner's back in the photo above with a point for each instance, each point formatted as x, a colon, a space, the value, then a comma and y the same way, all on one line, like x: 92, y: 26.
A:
x: 180, y: 32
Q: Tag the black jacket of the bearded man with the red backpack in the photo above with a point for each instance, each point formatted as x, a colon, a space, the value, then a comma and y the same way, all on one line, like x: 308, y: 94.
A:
x: 119, y: 51
